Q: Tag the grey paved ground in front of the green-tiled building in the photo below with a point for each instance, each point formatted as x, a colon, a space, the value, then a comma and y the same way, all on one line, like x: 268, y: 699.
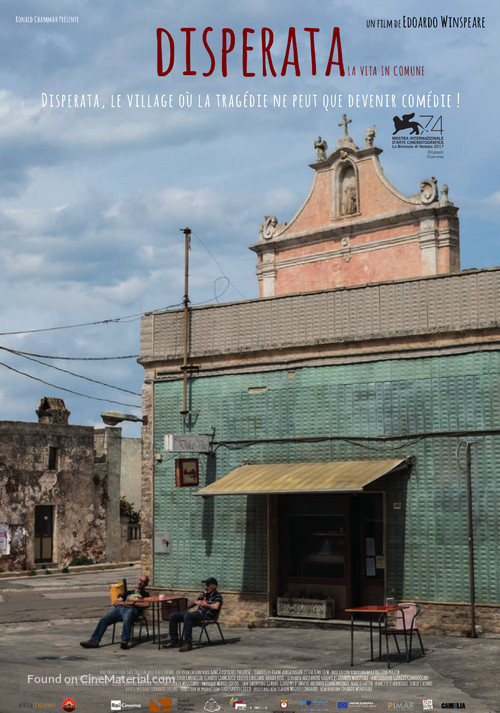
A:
x: 43, y: 664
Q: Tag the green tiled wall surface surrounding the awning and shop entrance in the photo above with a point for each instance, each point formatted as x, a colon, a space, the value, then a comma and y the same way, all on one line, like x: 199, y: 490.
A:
x: 427, y: 554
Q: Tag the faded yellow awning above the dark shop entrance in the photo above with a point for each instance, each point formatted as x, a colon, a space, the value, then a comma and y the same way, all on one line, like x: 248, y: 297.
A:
x: 280, y: 478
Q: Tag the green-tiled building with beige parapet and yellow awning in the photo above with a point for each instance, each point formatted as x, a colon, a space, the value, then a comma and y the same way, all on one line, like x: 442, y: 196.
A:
x: 339, y: 420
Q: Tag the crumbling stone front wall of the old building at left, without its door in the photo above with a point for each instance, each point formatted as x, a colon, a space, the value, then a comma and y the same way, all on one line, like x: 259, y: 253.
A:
x: 31, y: 474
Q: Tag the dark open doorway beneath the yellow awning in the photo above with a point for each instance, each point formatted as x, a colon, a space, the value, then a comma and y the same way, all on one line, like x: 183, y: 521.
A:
x: 329, y: 547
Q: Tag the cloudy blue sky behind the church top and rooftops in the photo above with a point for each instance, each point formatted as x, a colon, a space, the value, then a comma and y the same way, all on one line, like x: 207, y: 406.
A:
x: 92, y: 198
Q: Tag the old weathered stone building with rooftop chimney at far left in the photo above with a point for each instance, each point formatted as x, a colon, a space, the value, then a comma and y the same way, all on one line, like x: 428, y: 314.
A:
x: 59, y: 490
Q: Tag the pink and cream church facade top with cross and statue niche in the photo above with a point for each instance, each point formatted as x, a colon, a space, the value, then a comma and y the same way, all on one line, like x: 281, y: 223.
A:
x: 355, y: 227
